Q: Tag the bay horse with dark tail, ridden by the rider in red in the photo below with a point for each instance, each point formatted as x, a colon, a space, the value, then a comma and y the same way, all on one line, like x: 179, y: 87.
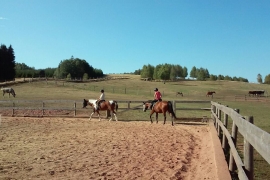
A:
x: 160, y: 107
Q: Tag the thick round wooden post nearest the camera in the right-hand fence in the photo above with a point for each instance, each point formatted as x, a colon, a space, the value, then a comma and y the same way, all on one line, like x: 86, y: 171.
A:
x: 248, y: 155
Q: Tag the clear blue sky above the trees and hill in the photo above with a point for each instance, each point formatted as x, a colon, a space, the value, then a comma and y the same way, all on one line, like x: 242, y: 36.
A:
x: 227, y: 37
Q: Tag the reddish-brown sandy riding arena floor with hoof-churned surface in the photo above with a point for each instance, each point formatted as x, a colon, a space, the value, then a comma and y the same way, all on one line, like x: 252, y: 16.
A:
x: 76, y: 148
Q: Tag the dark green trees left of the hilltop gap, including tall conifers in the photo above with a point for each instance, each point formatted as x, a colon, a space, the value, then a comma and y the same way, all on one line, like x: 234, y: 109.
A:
x: 73, y: 68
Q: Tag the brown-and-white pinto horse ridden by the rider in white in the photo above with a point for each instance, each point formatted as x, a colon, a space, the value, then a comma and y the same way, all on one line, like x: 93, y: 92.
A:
x: 104, y: 106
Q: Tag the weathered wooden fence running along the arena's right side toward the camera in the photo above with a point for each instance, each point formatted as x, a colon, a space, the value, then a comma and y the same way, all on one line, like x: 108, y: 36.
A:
x: 254, y: 137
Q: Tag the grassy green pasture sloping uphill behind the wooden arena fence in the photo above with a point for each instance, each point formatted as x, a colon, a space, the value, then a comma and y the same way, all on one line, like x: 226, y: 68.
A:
x: 132, y: 88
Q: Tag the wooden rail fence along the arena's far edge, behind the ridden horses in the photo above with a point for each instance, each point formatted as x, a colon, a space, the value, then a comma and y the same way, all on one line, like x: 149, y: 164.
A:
x: 72, y: 107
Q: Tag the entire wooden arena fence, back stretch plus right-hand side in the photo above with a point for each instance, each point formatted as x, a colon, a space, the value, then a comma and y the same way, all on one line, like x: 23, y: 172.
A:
x: 254, y: 137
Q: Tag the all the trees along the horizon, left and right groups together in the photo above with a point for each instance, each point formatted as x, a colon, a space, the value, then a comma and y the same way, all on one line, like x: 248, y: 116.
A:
x: 75, y: 68
